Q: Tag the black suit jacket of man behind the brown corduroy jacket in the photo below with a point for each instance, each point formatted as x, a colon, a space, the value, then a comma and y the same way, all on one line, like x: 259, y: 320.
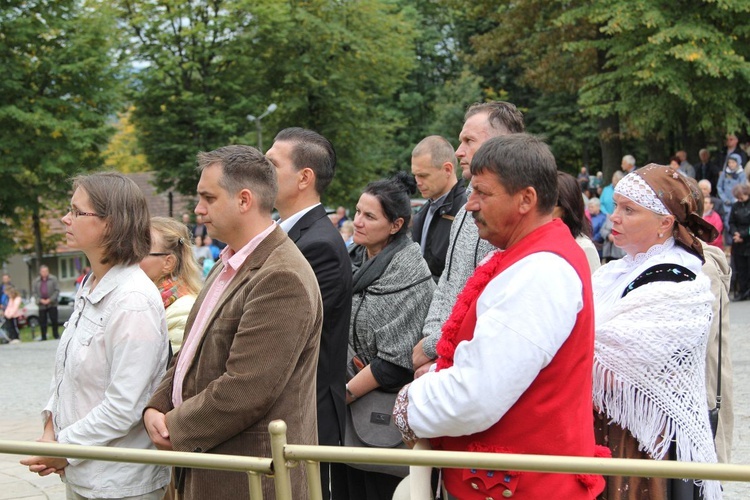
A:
x: 324, y: 249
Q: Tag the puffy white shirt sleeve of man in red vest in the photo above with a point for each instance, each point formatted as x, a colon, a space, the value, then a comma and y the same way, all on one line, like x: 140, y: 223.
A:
x: 524, y: 315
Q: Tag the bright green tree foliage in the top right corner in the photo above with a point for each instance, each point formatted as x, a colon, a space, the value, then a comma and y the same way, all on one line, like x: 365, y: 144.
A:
x: 668, y: 69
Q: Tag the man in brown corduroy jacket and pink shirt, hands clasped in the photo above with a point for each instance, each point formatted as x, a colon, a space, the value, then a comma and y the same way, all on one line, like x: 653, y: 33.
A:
x: 251, y: 341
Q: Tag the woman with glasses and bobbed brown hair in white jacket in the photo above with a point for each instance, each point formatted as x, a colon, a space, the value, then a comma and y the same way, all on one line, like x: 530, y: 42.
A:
x: 113, y: 352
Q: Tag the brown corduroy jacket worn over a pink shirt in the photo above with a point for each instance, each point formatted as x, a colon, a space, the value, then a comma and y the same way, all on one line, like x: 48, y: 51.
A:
x: 255, y: 363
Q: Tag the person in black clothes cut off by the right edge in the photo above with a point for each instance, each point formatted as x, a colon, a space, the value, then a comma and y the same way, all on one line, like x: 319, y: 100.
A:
x: 739, y: 230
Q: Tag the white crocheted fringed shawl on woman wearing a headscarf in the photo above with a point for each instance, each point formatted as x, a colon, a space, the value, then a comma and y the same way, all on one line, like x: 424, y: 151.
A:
x: 649, y: 364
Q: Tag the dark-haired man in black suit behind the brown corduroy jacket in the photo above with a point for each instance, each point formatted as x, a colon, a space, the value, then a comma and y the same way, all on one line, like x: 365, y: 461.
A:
x: 305, y: 163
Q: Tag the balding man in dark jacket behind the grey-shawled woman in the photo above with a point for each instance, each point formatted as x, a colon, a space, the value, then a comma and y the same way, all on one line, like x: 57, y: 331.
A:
x: 433, y: 164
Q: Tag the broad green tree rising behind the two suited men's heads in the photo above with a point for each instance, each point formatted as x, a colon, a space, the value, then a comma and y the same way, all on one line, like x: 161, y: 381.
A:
x: 330, y: 66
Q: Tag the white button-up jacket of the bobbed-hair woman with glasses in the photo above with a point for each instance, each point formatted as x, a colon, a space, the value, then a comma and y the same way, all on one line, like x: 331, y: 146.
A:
x: 111, y: 357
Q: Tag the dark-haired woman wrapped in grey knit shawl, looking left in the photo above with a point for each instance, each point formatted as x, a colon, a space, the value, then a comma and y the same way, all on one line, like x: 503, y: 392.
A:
x: 392, y: 288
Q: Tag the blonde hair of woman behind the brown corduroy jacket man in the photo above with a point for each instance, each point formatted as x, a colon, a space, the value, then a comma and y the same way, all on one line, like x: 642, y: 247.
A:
x: 176, y: 240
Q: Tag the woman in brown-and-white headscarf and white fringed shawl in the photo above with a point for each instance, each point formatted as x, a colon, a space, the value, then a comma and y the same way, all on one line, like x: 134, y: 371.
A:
x: 653, y: 313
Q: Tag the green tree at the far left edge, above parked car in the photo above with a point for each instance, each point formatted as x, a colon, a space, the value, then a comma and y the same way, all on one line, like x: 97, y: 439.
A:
x: 58, y: 88
